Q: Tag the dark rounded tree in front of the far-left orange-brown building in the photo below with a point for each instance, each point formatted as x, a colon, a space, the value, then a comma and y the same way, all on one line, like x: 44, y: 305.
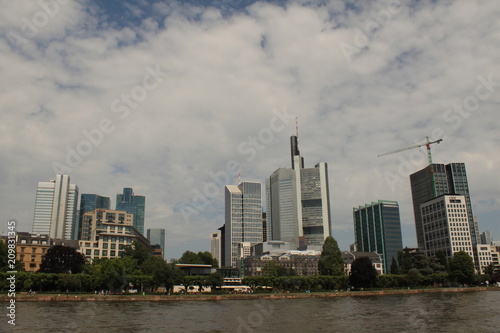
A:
x: 62, y: 259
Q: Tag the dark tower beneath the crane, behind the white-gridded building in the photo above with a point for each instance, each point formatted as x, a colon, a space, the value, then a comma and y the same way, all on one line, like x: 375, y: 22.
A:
x: 448, y: 179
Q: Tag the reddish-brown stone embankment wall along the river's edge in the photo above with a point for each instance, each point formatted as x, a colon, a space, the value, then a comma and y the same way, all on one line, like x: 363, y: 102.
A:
x: 201, y: 297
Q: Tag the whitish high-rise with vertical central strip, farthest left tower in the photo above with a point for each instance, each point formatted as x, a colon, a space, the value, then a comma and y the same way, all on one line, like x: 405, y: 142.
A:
x: 56, y: 208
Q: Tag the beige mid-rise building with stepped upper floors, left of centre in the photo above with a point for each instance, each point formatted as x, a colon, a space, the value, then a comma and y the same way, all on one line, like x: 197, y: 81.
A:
x: 105, y: 234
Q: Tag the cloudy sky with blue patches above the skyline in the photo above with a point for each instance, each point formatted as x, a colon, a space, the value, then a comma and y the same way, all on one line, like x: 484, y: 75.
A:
x: 176, y: 98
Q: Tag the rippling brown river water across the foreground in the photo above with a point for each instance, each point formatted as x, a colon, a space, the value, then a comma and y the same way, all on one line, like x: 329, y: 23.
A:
x: 435, y: 312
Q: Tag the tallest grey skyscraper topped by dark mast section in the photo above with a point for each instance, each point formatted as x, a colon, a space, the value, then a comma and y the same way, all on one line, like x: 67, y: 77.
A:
x: 298, y: 202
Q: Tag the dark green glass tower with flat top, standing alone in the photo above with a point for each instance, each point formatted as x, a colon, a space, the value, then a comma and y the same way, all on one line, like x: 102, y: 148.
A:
x: 377, y: 228
